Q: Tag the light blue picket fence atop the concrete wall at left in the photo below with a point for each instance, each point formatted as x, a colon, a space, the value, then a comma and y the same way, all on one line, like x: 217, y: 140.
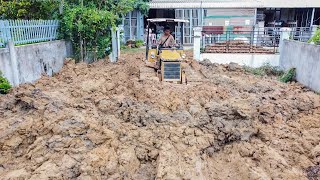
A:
x: 27, y: 31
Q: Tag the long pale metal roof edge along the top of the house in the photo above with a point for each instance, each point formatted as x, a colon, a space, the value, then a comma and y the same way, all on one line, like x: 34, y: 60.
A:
x: 173, y: 4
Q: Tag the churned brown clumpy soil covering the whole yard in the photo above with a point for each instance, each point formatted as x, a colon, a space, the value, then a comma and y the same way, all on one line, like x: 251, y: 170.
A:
x: 99, y: 121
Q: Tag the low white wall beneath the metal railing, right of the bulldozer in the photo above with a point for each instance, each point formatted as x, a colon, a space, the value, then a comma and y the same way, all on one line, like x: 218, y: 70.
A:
x: 252, y: 60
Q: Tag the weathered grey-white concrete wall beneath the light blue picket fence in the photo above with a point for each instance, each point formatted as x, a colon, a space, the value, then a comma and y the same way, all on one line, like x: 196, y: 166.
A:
x: 35, y: 59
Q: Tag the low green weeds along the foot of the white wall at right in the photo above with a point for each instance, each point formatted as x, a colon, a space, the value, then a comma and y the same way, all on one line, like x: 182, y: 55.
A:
x: 265, y: 70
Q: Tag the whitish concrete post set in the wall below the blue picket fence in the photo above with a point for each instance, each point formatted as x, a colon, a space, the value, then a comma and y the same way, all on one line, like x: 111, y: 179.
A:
x: 13, y: 63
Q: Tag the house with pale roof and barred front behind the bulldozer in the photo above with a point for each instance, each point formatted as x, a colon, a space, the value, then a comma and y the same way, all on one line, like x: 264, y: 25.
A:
x: 226, y: 14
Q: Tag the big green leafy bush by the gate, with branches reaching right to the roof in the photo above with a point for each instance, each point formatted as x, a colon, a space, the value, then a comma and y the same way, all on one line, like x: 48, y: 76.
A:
x: 88, y: 24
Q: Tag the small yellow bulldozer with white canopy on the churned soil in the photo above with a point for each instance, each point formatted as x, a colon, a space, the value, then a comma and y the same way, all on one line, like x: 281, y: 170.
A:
x: 165, y: 63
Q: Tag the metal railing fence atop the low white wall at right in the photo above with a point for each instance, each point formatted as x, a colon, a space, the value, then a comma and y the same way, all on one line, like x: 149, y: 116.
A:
x: 263, y: 40
